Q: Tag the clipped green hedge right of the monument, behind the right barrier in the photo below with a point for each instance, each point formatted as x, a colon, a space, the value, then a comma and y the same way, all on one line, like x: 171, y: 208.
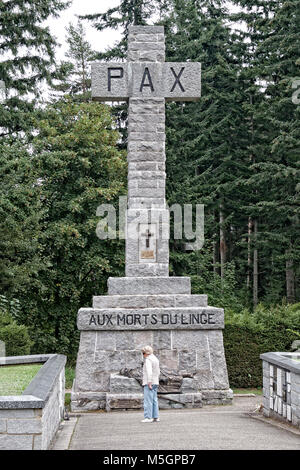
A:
x: 246, y: 336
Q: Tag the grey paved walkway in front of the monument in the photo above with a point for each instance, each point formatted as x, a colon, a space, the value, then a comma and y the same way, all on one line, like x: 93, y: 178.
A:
x: 230, y: 427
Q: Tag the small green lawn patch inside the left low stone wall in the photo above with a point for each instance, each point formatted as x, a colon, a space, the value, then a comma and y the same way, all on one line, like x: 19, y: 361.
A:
x: 15, y: 379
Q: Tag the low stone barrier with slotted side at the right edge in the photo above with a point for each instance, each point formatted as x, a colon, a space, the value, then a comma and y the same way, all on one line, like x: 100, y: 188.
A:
x: 281, y: 386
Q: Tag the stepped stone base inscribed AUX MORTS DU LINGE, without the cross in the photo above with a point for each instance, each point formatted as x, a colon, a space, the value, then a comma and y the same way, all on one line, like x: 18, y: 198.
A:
x: 185, y: 333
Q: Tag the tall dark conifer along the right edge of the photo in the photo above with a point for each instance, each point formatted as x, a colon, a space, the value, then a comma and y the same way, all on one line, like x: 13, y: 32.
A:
x: 273, y: 30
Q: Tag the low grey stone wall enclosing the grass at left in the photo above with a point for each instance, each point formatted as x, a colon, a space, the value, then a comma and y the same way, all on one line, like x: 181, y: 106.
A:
x: 30, y: 421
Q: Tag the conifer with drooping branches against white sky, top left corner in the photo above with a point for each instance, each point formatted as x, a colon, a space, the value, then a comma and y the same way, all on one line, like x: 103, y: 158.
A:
x: 27, y: 50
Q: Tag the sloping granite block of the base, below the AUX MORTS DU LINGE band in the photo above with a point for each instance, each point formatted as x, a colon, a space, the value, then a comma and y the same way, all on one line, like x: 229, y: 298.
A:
x: 109, y: 367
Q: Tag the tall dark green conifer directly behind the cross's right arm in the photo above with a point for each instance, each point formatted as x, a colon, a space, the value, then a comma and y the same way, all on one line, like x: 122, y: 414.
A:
x: 206, y: 154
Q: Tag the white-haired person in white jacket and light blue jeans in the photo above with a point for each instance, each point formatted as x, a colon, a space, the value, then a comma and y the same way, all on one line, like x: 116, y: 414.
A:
x: 151, y: 373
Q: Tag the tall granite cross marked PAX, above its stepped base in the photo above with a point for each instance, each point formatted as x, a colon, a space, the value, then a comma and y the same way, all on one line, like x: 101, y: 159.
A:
x: 146, y: 81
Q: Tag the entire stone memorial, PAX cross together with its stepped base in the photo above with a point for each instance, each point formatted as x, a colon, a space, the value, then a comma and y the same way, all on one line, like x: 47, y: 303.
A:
x: 147, y: 306
